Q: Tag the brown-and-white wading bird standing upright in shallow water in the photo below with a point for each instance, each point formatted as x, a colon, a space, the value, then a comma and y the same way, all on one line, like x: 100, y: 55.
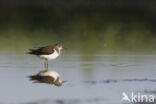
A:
x: 47, y: 53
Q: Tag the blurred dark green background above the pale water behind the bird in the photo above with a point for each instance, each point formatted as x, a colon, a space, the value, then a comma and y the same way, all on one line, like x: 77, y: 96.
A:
x: 86, y: 25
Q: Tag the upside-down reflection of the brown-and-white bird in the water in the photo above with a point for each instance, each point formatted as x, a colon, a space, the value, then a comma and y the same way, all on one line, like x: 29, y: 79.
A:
x: 47, y: 76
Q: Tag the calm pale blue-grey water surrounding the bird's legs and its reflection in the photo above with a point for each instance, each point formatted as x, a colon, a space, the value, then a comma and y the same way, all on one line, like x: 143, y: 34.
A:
x: 92, y: 78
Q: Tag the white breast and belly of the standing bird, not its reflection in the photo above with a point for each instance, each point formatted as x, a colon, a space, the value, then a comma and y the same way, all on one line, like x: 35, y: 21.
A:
x: 52, y: 56
